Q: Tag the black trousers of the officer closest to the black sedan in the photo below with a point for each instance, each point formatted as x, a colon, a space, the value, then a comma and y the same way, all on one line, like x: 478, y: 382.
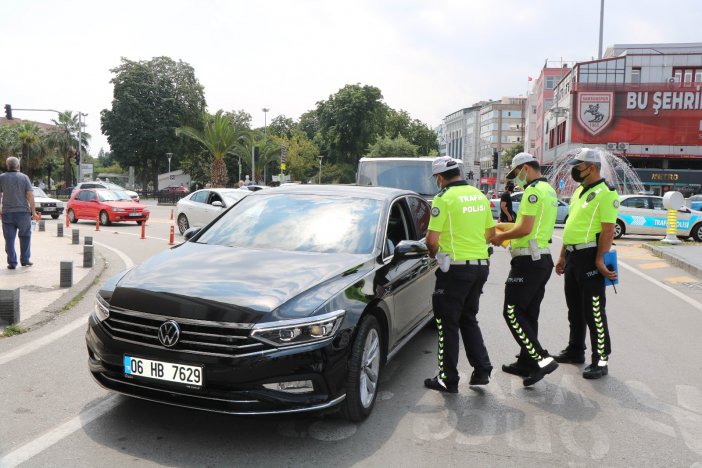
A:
x: 456, y: 301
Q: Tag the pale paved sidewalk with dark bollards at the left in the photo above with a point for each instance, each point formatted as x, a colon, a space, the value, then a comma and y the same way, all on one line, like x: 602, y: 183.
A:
x: 40, y: 294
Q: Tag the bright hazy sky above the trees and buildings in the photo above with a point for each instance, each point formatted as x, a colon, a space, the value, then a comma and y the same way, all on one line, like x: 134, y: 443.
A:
x: 429, y: 58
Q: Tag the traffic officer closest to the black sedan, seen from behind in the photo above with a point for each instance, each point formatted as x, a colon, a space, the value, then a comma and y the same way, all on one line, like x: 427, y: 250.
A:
x: 460, y: 227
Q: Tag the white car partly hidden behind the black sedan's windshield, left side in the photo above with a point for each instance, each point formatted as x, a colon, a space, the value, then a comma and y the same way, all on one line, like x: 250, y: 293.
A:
x: 201, y: 207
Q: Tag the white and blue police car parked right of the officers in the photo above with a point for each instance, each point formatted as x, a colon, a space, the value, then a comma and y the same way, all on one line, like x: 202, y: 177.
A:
x: 645, y: 214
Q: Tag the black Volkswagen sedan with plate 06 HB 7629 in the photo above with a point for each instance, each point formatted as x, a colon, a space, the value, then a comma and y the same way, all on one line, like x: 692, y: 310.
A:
x: 291, y: 300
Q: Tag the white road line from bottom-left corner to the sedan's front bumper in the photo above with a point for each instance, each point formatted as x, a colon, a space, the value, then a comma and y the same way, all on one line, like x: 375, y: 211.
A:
x: 43, y: 442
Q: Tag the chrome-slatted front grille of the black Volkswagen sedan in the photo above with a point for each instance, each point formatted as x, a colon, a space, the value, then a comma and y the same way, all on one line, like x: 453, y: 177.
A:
x: 196, y: 336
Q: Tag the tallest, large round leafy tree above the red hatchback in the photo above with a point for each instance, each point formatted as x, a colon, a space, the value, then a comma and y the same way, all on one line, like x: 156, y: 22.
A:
x: 150, y: 100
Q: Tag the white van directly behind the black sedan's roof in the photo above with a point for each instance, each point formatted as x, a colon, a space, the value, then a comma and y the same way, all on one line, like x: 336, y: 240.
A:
x: 403, y: 173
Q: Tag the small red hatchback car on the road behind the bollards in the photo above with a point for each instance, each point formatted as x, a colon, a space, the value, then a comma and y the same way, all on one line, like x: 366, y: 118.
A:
x: 110, y: 206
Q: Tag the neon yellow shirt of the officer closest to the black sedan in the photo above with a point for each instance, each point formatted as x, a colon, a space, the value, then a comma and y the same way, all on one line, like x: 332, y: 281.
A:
x: 461, y: 214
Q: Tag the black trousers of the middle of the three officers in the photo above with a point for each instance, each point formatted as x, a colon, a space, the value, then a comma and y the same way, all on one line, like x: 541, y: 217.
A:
x: 524, y: 291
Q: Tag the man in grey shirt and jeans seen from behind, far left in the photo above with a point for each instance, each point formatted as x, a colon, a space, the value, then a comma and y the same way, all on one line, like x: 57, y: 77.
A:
x: 17, y: 212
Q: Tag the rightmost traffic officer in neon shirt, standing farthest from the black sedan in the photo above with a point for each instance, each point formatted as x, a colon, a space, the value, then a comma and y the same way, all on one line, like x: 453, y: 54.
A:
x: 587, y: 236
